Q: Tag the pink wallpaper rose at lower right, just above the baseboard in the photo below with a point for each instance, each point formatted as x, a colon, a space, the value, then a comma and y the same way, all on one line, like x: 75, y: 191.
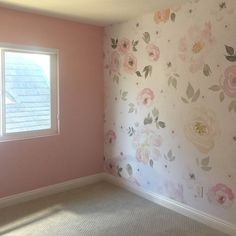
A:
x: 222, y: 195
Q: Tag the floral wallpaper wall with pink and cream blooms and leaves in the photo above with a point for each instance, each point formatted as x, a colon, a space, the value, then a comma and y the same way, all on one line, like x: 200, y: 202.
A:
x: 170, y: 104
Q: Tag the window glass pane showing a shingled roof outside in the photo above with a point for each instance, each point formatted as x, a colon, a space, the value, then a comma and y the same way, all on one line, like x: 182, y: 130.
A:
x: 27, y: 92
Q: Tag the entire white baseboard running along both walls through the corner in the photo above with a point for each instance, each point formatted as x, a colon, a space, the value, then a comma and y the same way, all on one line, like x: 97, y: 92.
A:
x: 183, y: 209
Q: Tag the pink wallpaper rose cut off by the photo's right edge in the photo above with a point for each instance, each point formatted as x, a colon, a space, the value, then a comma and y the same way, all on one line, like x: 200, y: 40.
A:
x: 230, y: 81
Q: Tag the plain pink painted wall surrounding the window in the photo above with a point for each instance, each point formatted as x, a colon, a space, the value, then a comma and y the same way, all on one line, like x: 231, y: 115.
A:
x: 78, y: 150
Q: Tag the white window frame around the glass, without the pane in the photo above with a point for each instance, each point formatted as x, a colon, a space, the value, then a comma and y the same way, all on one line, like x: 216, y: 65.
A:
x: 54, y: 85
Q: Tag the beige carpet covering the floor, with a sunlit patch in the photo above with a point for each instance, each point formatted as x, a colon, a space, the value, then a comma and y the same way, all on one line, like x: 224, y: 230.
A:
x: 100, y: 209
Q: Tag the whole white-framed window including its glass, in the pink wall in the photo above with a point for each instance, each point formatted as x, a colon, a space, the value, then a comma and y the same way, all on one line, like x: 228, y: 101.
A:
x: 28, y: 92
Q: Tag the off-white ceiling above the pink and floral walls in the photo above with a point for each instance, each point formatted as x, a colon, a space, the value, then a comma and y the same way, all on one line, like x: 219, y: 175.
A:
x: 97, y: 12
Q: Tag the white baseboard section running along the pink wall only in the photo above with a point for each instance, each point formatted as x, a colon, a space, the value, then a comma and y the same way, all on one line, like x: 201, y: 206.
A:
x: 51, y: 189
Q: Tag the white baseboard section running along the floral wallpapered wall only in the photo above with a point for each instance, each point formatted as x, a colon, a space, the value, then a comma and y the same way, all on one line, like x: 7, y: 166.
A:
x: 183, y: 209
